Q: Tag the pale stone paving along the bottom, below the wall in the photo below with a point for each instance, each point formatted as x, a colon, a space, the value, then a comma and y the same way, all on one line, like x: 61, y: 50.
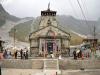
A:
x: 49, y: 72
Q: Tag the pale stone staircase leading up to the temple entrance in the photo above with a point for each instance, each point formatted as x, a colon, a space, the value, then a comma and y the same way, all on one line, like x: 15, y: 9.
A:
x: 51, y: 67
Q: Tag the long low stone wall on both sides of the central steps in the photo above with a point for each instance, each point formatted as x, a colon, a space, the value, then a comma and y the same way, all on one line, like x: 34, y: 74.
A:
x: 64, y: 64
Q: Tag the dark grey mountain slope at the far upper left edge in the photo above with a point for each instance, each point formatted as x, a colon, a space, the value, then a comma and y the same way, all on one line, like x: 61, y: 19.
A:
x: 4, y: 15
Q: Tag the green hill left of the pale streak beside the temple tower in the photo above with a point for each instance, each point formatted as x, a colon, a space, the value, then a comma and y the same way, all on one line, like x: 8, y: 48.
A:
x: 22, y: 31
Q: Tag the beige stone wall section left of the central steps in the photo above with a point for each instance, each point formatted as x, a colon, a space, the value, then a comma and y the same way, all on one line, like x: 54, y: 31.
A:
x: 22, y: 64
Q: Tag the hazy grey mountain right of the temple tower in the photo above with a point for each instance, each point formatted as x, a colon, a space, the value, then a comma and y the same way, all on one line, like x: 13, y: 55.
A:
x: 79, y: 26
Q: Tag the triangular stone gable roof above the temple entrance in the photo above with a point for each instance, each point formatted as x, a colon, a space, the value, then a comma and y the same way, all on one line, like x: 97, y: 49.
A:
x: 47, y: 30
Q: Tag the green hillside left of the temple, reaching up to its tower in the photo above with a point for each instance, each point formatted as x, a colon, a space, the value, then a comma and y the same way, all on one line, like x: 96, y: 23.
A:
x: 24, y: 29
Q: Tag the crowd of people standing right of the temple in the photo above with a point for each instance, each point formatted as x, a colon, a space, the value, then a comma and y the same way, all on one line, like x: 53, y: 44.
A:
x: 84, y: 53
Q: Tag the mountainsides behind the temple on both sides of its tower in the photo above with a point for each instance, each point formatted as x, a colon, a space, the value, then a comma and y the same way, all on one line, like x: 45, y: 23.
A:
x: 79, y: 29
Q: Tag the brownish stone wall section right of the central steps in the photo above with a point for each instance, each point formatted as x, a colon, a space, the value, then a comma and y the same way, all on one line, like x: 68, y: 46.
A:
x: 79, y: 64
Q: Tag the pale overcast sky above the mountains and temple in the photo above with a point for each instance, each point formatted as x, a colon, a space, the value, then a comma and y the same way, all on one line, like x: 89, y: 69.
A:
x: 32, y: 8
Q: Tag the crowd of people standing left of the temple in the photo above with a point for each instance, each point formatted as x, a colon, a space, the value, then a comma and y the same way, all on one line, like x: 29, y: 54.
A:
x: 17, y: 54
